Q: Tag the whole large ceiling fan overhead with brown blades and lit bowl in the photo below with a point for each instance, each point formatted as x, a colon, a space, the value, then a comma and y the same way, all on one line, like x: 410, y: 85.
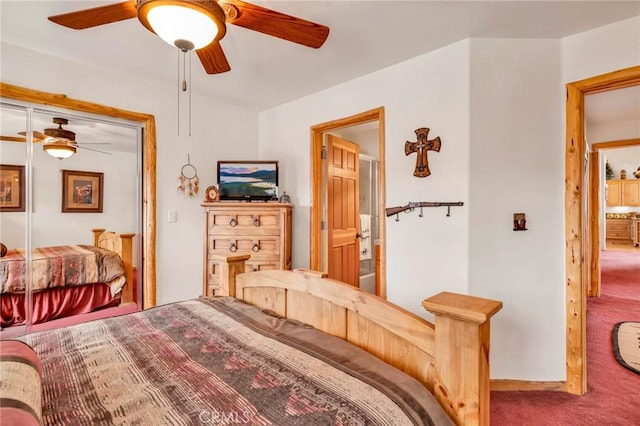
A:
x: 199, y: 24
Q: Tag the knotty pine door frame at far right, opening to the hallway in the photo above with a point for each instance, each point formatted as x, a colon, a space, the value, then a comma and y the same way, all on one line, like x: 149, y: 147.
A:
x: 578, y: 260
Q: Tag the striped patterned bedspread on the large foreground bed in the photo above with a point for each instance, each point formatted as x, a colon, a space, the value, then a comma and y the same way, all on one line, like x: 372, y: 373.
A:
x: 218, y: 361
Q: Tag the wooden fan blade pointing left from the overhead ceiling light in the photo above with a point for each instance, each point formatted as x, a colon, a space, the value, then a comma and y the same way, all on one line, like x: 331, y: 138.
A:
x: 100, y: 15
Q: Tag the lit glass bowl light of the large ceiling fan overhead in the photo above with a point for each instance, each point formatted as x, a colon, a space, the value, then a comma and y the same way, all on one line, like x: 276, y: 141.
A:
x: 196, y: 22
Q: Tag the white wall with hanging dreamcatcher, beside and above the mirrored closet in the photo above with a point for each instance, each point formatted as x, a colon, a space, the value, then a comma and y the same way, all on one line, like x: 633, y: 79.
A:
x: 214, y: 125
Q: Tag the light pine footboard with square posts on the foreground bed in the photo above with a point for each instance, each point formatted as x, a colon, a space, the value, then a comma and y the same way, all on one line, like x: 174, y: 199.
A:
x: 451, y: 358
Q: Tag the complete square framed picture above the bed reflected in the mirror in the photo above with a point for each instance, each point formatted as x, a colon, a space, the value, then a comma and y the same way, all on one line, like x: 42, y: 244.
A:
x: 82, y: 192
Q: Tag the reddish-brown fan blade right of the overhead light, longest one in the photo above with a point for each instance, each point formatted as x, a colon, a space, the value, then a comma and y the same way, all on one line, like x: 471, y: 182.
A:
x: 274, y: 23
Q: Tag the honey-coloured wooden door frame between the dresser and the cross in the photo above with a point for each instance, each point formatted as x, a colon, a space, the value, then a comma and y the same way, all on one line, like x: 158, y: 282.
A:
x: 317, y: 136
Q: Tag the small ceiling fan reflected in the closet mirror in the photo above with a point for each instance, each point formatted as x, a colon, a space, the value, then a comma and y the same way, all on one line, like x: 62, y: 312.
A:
x: 58, y: 142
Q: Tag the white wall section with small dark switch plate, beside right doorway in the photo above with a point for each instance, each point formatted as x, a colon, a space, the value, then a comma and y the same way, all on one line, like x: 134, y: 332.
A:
x: 517, y: 166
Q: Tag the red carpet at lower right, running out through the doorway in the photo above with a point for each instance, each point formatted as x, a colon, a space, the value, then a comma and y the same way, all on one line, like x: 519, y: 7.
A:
x: 613, y: 391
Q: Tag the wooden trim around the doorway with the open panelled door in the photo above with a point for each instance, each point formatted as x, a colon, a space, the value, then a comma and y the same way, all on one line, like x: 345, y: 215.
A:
x: 319, y: 238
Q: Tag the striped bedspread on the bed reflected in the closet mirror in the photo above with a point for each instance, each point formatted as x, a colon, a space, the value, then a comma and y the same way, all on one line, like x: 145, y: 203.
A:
x: 61, y: 266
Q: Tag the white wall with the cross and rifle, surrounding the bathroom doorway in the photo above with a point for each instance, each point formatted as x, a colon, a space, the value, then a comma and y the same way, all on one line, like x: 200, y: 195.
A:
x: 425, y: 255
